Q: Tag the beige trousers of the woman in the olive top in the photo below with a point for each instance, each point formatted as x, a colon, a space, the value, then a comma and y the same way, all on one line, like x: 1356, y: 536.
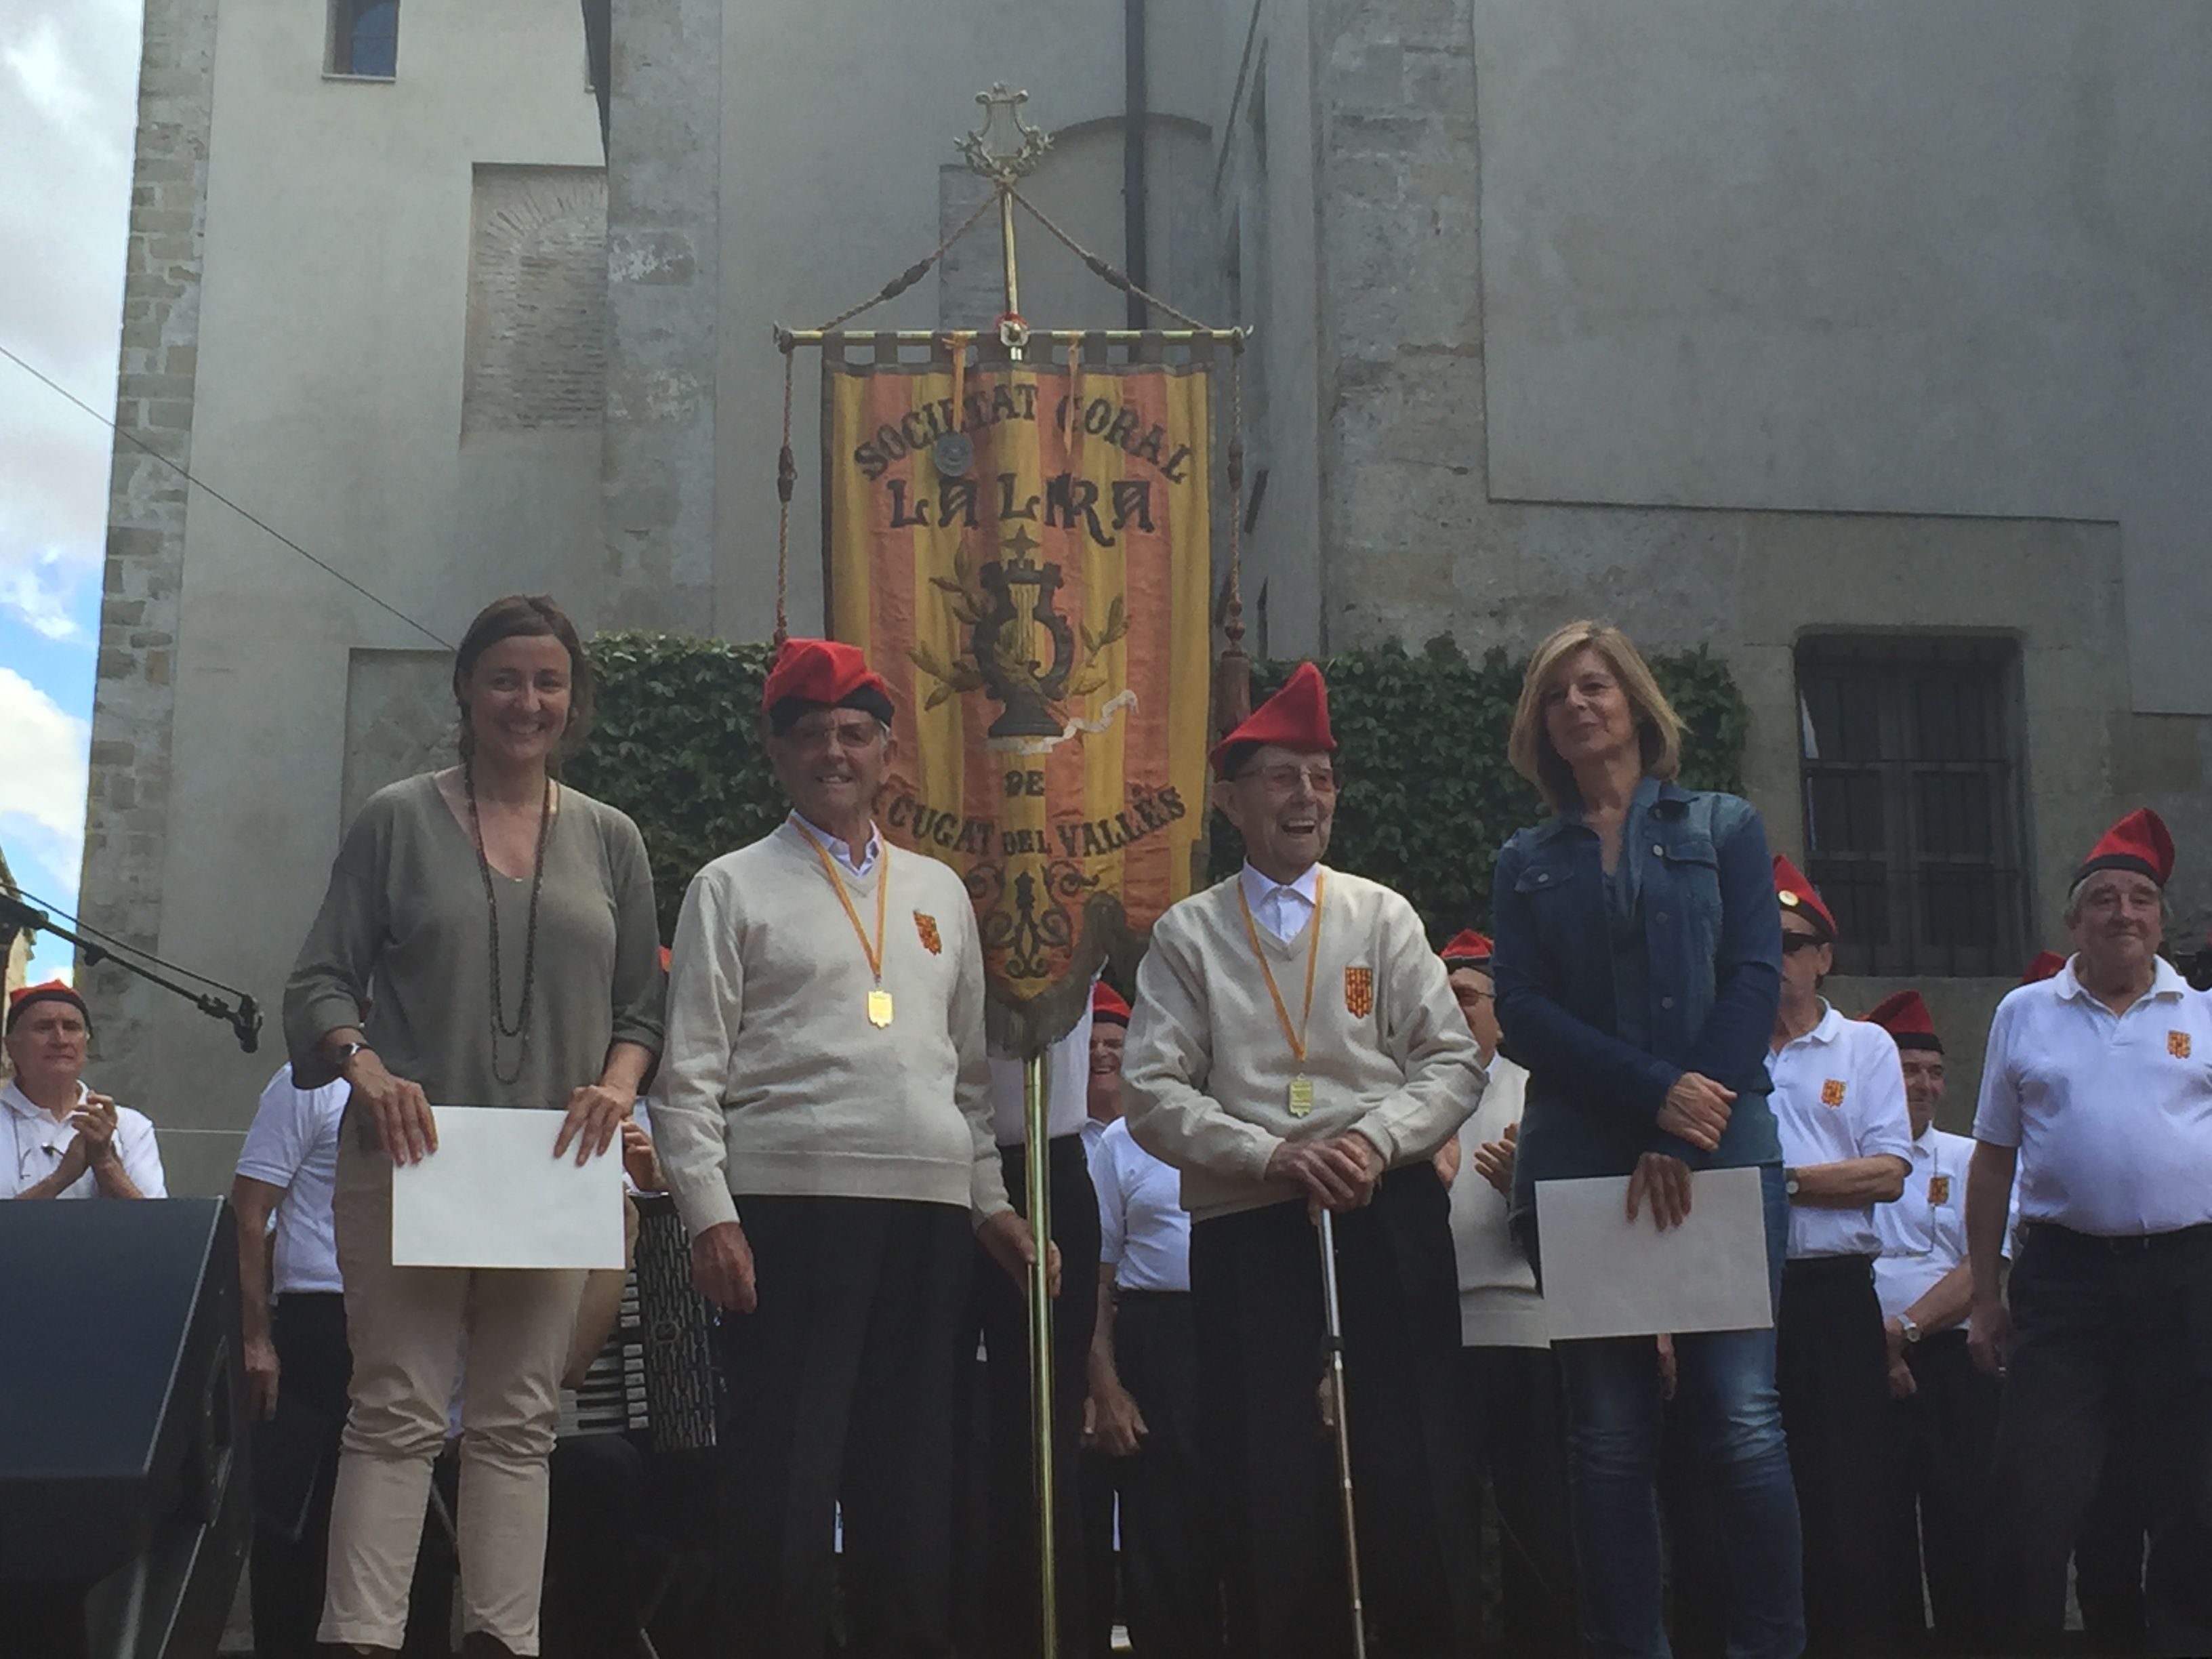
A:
x: 410, y: 1331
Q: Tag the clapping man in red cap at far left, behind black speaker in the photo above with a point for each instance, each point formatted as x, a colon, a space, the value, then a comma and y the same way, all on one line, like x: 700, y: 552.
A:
x: 67, y: 1140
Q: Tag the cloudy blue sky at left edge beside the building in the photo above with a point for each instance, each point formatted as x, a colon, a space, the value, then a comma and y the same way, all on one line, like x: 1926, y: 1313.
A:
x: 67, y: 96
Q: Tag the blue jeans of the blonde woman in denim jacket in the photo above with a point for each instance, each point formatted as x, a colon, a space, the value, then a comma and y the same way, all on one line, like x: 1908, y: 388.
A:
x: 1616, y: 1417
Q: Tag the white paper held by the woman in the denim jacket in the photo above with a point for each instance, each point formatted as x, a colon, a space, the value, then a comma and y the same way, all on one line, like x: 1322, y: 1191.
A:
x: 1607, y: 1275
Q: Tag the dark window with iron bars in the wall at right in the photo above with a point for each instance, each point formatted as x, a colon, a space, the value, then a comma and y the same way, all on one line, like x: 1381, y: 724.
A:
x: 1912, y: 802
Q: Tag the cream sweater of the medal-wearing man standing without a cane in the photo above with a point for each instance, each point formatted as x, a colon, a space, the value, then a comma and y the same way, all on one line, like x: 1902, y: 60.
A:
x: 775, y: 1083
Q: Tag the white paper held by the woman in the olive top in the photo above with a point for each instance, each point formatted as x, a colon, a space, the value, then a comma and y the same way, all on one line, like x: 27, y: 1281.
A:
x: 494, y: 1196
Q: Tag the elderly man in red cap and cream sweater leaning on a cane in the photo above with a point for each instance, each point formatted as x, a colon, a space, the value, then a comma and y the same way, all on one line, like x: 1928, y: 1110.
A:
x: 1295, y: 1047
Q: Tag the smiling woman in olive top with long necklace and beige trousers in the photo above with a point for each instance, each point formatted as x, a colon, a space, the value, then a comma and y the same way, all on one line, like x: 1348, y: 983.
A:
x: 510, y: 932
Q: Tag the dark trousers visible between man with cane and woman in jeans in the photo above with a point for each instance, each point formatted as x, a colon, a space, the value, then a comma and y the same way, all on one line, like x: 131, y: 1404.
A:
x: 1516, y: 1421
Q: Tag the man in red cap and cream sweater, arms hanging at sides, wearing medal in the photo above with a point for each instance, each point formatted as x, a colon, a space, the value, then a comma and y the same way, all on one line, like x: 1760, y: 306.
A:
x: 824, y: 1120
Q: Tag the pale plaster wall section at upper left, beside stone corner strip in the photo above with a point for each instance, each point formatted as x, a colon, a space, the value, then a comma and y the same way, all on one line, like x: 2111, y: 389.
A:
x: 331, y: 386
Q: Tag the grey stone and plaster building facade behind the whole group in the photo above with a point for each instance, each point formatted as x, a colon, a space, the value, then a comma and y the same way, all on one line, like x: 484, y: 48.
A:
x: 1866, y: 346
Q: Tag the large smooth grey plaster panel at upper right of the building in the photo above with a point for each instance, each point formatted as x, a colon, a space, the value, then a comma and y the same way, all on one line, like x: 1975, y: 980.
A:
x: 1861, y: 258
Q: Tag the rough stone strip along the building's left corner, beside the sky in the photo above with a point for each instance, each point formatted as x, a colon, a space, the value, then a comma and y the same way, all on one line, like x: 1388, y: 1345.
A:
x: 134, y: 696
